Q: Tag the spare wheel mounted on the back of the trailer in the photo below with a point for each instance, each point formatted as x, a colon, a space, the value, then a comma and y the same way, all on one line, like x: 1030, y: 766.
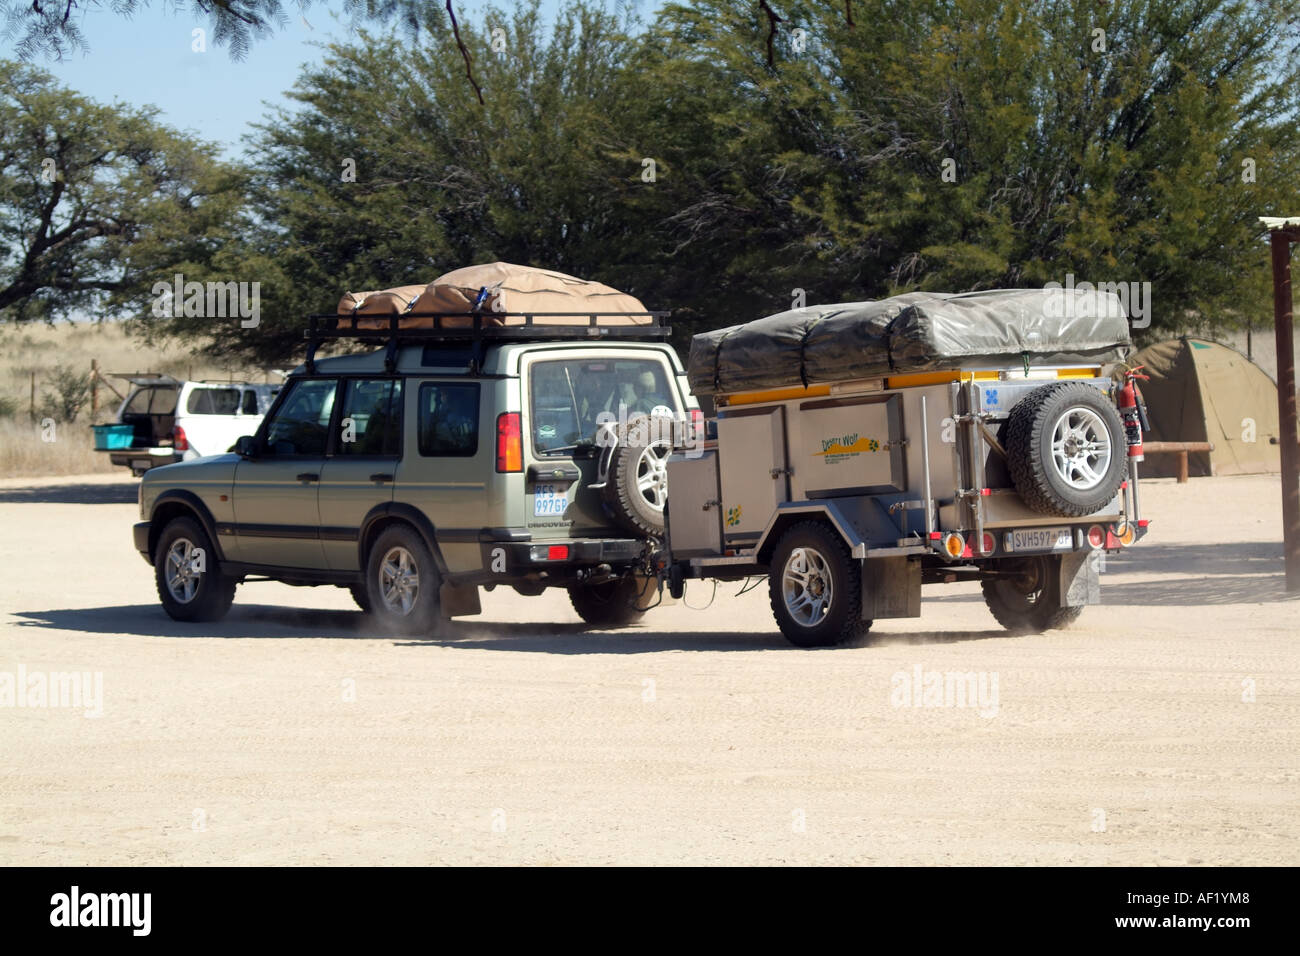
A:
x: 1065, y: 449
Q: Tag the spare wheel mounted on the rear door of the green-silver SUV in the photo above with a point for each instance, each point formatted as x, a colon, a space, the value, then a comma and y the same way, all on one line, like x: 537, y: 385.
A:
x: 636, y: 488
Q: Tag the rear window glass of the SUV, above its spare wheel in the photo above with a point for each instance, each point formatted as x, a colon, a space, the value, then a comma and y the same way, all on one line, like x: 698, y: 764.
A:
x: 573, y: 397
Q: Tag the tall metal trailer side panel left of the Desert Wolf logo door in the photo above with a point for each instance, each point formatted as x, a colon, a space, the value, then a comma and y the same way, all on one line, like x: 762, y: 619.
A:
x: 755, y: 473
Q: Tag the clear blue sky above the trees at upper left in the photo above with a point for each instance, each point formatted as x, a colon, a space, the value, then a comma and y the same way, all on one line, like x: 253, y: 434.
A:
x: 149, y: 60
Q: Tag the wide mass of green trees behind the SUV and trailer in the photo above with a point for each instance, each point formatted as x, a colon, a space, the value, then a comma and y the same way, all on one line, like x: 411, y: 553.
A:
x: 1115, y: 157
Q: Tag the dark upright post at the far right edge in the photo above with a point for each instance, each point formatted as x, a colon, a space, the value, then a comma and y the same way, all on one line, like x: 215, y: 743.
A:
x: 1282, y: 321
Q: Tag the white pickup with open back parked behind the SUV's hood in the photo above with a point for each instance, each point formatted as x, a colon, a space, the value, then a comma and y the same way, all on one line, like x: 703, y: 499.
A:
x: 180, y: 421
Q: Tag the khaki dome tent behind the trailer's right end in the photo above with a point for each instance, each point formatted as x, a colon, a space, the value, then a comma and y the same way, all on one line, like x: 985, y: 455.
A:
x: 1208, y: 392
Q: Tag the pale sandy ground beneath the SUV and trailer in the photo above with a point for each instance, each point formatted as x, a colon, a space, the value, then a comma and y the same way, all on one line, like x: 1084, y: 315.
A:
x: 288, y: 734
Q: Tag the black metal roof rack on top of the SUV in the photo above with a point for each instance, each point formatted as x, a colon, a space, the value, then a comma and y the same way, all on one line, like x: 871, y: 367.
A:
x: 322, y: 328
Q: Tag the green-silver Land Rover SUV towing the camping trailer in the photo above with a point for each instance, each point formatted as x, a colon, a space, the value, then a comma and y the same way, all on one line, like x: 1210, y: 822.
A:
x: 527, y: 457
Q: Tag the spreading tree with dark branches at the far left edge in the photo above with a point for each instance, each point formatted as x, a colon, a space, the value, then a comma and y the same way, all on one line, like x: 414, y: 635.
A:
x: 98, y: 204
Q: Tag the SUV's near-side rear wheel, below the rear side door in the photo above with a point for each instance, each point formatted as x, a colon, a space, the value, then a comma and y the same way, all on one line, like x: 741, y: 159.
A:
x: 402, y: 583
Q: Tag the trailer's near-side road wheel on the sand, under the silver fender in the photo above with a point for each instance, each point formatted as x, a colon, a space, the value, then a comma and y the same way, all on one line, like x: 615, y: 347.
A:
x: 816, y: 589
